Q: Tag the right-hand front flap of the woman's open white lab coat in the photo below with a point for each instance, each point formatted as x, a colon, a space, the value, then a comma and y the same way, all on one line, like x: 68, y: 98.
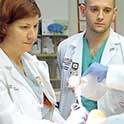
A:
x: 39, y: 69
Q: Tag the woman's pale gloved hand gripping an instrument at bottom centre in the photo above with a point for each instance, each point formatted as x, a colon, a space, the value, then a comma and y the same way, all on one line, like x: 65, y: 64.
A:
x: 78, y: 115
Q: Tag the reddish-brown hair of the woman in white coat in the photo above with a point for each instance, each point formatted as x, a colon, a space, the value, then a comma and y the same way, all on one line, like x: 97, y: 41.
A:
x: 12, y: 10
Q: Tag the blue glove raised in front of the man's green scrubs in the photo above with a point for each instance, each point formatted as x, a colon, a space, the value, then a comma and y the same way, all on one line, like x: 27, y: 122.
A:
x: 98, y: 70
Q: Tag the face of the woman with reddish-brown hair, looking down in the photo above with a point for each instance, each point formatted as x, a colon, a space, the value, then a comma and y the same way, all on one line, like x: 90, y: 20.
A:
x: 22, y: 34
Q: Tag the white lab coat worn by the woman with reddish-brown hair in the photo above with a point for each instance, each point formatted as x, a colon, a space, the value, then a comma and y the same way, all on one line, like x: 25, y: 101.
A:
x: 18, y: 102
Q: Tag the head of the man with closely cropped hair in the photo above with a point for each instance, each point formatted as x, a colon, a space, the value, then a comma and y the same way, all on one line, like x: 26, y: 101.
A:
x: 99, y: 15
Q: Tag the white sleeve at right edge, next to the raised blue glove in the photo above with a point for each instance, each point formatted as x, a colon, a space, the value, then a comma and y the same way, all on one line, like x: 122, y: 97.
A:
x: 115, y: 77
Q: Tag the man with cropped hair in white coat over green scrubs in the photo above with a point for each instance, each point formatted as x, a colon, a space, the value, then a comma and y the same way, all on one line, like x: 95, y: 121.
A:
x: 97, y: 44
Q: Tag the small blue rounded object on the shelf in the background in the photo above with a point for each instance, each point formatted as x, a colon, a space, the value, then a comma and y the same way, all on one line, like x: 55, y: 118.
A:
x: 56, y: 28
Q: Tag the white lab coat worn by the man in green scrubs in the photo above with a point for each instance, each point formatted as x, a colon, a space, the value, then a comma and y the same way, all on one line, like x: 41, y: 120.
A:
x: 70, y: 51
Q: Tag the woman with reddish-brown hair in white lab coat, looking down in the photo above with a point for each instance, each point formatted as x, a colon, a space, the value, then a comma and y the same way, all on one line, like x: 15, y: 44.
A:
x: 26, y: 95
